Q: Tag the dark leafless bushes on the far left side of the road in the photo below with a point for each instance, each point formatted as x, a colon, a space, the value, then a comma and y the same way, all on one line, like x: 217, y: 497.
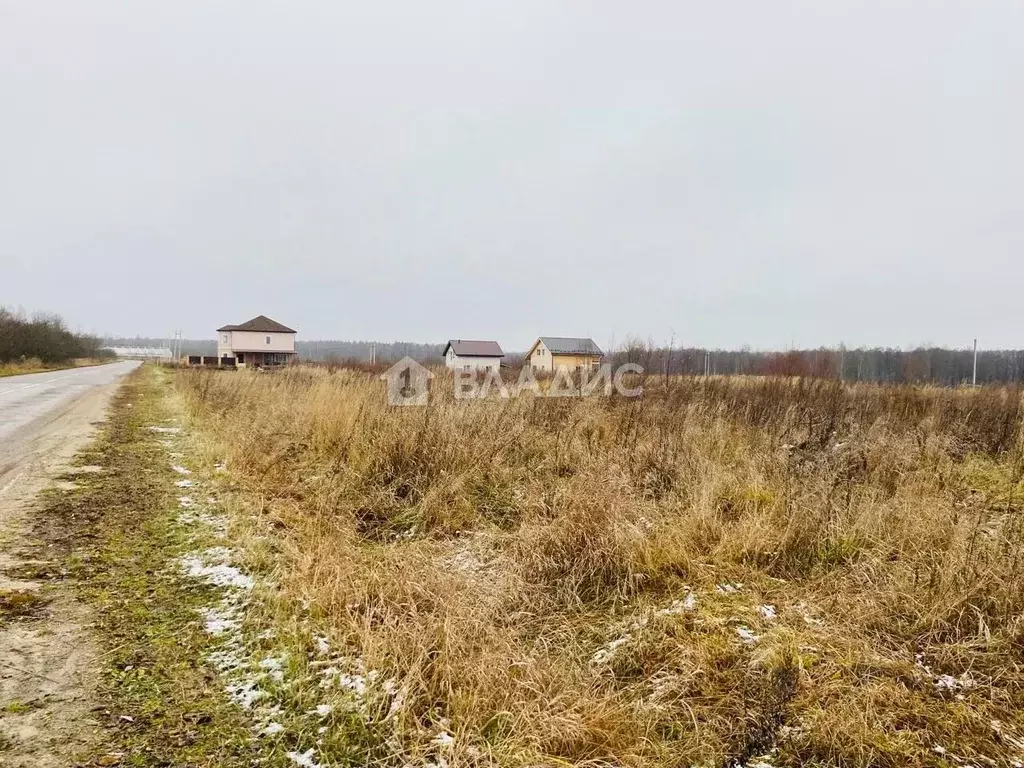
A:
x: 44, y: 337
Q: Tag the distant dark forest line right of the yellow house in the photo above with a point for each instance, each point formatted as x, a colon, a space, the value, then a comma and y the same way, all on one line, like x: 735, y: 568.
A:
x: 934, y: 366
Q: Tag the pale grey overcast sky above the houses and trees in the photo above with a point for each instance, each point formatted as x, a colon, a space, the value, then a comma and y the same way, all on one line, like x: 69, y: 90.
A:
x: 762, y: 174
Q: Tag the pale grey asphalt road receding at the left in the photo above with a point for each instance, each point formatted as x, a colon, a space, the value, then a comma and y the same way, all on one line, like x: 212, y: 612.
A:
x: 27, y: 399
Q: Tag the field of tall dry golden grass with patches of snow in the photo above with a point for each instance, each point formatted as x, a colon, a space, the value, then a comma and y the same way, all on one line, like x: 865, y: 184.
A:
x: 723, y: 573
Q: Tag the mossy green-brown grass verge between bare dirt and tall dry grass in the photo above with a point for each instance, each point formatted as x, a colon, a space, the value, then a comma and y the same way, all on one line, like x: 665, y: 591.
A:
x: 115, y: 533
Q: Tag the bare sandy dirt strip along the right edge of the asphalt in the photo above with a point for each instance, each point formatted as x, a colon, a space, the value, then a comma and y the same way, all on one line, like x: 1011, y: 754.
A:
x: 48, y: 659
